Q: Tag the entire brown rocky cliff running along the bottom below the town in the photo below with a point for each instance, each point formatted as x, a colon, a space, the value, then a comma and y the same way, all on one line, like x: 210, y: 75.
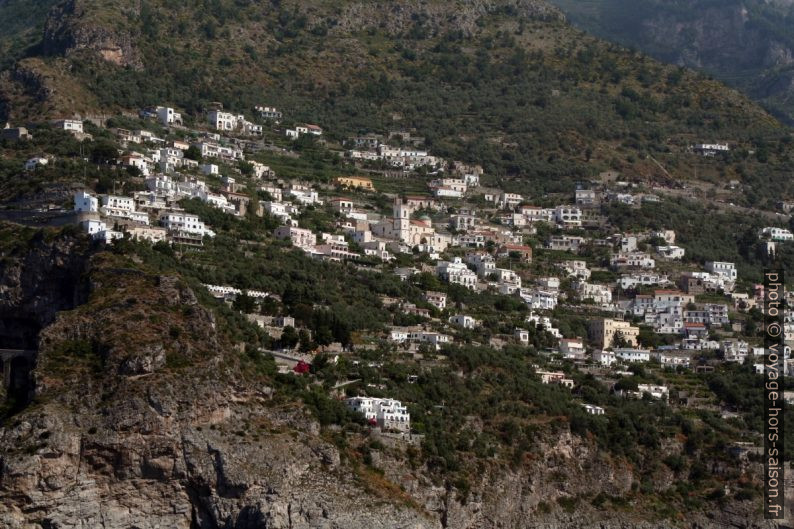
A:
x: 142, y: 417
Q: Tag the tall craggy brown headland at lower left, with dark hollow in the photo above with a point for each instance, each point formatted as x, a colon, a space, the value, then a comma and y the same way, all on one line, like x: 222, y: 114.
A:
x: 117, y: 439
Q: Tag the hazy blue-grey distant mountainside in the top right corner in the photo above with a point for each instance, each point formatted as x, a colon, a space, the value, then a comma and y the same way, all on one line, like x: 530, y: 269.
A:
x: 747, y: 43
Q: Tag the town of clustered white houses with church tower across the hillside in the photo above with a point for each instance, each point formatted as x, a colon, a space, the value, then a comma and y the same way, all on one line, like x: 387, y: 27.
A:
x: 643, y: 302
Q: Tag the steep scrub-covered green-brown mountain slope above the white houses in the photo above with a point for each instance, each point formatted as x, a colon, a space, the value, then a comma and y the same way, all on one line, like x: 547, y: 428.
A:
x: 507, y: 84
